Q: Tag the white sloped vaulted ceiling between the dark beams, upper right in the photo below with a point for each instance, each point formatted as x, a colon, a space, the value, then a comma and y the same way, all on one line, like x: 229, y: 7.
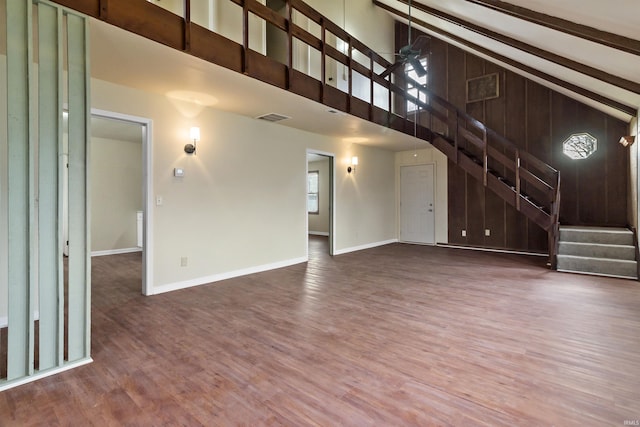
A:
x: 617, y: 17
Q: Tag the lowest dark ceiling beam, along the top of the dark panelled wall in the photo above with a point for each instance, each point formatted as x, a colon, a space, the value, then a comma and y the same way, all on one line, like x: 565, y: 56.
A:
x: 628, y: 110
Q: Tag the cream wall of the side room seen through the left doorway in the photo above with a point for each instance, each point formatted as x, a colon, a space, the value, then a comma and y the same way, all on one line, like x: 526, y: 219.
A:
x: 116, y: 193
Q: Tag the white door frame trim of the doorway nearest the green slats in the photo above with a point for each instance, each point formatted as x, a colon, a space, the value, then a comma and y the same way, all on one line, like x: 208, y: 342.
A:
x: 147, y: 190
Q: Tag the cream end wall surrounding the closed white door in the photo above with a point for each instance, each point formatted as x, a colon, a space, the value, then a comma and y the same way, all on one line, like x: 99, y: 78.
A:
x: 429, y: 156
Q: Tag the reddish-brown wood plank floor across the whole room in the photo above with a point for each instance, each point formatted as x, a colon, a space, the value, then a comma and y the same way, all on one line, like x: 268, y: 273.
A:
x: 396, y: 335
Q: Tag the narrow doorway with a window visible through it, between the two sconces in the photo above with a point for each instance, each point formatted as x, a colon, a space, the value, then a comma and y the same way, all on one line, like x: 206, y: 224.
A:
x: 320, y: 203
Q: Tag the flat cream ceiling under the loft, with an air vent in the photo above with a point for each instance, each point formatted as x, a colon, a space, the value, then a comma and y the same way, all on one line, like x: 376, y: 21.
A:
x: 191, y: 83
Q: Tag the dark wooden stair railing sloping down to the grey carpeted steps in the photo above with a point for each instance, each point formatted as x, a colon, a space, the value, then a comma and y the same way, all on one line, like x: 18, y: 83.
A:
x: 527, y: 183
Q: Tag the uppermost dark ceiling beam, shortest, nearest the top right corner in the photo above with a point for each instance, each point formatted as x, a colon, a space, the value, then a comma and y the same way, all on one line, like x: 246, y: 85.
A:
x: 612, y: 40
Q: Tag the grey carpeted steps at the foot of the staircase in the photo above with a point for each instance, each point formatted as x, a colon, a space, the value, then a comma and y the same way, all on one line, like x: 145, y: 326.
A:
x: 602, y: 251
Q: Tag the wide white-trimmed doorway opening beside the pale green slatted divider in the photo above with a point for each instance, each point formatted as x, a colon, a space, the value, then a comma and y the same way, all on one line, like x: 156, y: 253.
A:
x: 122, y: 144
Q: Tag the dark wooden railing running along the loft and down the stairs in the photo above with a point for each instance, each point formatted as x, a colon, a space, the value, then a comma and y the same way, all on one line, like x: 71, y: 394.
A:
x: 250, y: 40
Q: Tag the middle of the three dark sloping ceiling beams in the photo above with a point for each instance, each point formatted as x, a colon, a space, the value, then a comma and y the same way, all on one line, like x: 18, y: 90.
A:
x: 620, y: 82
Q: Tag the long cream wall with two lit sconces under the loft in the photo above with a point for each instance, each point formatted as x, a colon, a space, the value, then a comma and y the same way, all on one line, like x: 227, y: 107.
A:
x: 241, y: 205
